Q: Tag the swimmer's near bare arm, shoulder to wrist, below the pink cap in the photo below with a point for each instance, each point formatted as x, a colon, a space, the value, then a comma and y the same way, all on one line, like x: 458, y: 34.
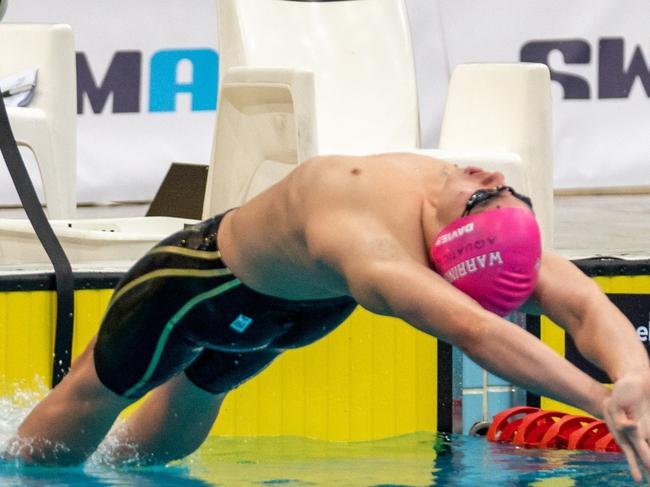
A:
x: 385, y: 280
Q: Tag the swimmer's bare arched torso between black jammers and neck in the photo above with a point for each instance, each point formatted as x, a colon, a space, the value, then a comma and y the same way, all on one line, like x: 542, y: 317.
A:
x: 268, y: 243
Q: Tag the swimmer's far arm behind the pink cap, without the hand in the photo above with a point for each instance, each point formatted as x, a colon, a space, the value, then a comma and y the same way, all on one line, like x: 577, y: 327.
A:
x: 601, y: 332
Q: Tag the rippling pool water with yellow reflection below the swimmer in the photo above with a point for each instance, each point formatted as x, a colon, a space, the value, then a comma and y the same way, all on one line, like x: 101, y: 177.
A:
x: 422, y: 459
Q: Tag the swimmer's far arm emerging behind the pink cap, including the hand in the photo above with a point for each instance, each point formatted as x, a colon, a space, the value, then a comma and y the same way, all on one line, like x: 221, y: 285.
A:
x: 607, y: 338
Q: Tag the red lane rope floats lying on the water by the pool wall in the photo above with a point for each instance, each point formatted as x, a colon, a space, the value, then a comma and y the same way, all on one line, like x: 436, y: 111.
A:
x: 535, y: 428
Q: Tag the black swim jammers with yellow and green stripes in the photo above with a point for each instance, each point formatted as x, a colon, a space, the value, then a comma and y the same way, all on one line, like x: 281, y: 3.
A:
x: 179, y: 308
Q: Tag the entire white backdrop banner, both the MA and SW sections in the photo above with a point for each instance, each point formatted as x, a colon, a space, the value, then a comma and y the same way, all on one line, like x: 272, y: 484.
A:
x: 147, y: 71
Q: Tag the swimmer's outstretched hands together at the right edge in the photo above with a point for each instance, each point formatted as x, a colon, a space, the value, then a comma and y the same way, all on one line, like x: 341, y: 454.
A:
x: 627, y: 412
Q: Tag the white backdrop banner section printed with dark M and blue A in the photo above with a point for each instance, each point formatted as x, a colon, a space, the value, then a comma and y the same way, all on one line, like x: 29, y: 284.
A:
x: 146, y: 85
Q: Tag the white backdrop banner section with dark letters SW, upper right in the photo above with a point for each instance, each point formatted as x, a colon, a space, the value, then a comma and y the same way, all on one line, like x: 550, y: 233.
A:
x: 599, y: 55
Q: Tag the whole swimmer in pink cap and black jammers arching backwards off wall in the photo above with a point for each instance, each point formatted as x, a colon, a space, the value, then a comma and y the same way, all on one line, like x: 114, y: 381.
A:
x: 449, y: 250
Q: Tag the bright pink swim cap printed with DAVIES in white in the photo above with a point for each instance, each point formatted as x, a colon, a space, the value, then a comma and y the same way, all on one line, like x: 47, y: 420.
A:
x: 492, y: 256
